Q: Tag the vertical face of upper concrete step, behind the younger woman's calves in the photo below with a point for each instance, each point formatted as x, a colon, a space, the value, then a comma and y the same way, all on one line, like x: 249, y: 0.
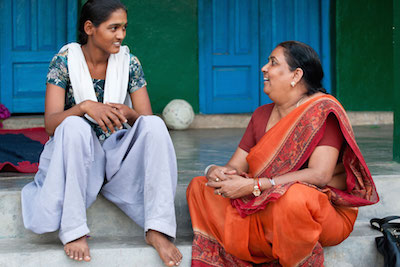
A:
x: 105, y: 219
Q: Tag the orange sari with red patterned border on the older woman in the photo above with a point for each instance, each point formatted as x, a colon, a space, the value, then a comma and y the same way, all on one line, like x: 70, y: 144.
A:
x: 288, y: 224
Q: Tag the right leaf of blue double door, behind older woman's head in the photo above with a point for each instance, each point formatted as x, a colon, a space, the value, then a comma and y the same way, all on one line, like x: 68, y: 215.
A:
x: 300, y: 20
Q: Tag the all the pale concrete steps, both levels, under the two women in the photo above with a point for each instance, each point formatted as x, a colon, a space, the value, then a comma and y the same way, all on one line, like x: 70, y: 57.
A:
x: 117, y: 241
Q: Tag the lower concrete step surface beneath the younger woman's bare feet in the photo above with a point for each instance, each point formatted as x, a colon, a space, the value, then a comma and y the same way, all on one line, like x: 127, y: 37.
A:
x: 358, y: 250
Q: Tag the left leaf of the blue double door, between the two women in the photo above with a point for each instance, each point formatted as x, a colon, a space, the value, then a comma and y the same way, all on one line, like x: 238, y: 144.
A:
x: 228, y: 56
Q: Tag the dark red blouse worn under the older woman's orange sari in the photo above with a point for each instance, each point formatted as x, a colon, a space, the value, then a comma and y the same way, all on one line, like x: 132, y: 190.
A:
x: 256, y: 130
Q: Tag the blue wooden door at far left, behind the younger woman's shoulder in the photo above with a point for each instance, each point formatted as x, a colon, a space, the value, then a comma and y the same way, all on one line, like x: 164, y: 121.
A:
x: 32, y: 31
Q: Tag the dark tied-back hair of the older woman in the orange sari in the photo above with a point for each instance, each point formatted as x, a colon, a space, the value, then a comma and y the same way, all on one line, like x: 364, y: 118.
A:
x: 301, y: 55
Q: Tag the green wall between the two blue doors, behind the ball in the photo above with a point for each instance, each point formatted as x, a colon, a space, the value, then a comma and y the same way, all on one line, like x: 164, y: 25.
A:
x: 163, y: 35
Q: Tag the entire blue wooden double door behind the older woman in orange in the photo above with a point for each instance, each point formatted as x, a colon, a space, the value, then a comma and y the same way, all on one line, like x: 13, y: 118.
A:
x: 236, y: 38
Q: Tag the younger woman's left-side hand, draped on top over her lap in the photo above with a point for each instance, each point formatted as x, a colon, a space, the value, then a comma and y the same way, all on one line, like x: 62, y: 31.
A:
x: 105, y: 115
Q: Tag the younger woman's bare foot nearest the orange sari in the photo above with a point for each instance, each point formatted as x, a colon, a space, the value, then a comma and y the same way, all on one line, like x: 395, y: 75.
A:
x: 169, y: 254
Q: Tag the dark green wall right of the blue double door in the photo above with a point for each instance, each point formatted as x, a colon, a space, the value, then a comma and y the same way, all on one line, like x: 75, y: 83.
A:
x: 364, y: 54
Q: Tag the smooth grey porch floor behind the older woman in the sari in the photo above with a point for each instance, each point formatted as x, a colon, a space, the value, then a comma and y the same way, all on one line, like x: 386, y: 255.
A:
x: 197, y: 148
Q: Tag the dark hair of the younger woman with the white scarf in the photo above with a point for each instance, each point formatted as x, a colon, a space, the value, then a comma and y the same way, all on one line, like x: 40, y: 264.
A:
x: 97, y: 11
